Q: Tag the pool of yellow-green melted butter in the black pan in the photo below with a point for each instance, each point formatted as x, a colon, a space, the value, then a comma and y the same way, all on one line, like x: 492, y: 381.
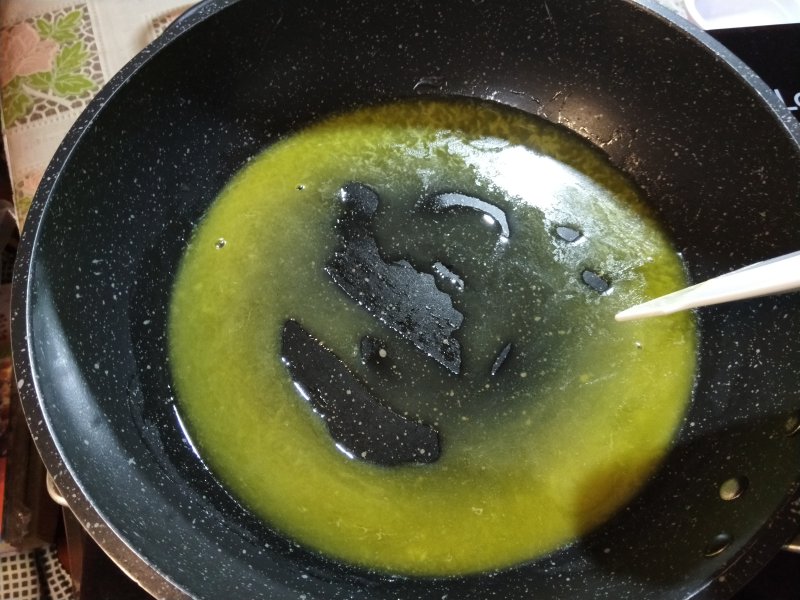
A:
x: 569, y: 431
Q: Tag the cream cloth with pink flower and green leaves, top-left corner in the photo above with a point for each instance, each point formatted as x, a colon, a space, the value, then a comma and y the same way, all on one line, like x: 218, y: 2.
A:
x: 54, y: 57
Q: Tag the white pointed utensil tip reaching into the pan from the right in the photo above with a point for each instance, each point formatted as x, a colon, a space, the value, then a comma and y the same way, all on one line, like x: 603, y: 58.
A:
x: 781, y: 274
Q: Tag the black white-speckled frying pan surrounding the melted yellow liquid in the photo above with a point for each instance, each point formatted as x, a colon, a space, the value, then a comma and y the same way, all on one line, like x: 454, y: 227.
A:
x: 714, y: 153
